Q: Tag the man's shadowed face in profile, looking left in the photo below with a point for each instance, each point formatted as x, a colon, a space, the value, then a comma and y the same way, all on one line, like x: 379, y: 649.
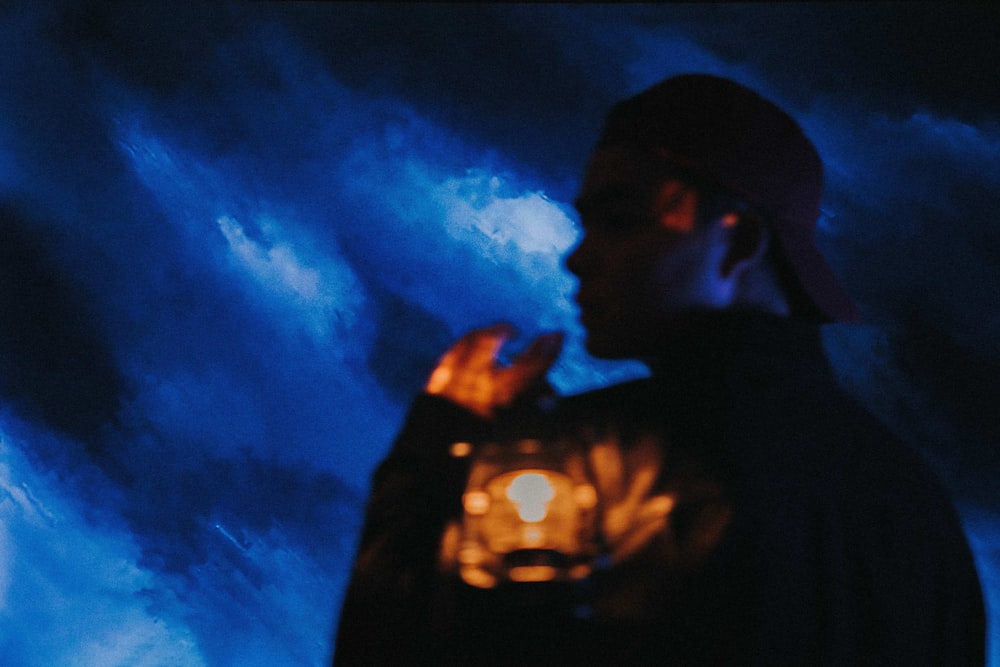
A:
x: 643, y: 259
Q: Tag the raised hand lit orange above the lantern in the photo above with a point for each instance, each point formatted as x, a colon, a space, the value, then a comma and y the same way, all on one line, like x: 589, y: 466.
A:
x: 470, y: 375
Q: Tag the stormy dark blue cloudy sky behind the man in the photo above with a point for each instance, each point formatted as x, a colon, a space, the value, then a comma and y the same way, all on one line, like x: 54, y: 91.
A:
x: 234, y: 238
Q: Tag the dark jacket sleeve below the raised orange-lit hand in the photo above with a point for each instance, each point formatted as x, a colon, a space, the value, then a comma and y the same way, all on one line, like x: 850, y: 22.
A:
x: 414, y: 492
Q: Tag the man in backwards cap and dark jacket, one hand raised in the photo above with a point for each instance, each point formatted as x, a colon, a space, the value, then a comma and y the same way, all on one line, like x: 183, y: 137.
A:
x: 749, y: 512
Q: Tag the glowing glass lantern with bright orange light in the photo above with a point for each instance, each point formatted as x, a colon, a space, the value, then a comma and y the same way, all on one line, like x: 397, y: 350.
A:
x: 528, y: 514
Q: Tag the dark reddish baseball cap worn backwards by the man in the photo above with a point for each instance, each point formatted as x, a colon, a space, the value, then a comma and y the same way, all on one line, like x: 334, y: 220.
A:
x: 732, y: 138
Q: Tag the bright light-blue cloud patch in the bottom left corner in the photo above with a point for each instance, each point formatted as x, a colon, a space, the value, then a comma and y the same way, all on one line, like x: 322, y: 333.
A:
x: 71, y: 591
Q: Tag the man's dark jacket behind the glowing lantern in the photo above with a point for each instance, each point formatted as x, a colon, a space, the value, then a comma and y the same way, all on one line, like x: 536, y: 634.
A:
x: 789, y: 528
